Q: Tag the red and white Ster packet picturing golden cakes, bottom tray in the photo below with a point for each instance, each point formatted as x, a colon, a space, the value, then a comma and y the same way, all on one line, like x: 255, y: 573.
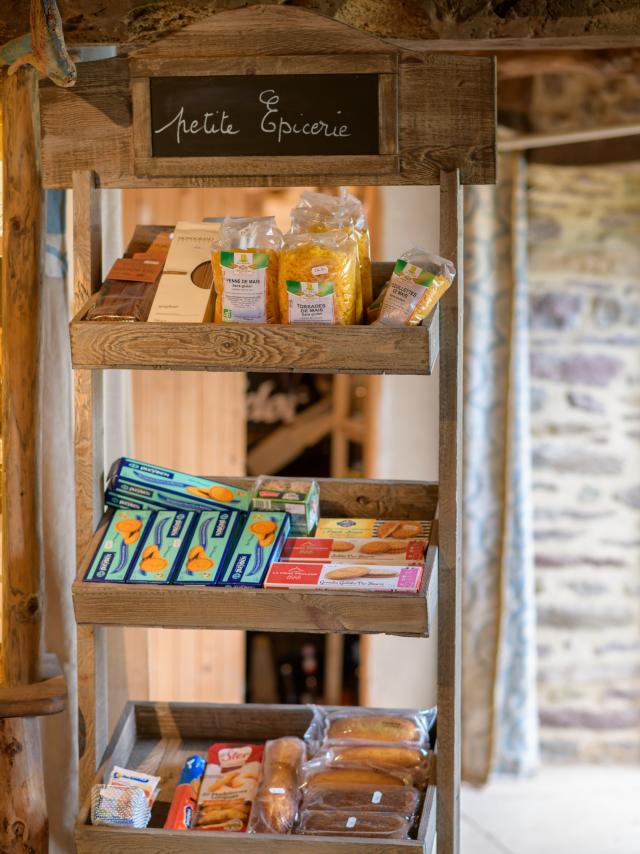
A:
x: 229, y: 787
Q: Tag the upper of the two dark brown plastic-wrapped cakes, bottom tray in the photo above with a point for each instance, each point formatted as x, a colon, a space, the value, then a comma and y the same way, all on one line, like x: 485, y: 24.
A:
x: 402, y: 800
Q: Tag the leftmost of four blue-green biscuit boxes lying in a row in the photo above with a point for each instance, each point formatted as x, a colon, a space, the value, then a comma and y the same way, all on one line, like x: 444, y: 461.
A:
x: 119, y: 546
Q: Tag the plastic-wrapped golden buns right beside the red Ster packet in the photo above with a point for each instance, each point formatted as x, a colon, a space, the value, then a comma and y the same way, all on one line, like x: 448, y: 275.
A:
x: 276, y: 804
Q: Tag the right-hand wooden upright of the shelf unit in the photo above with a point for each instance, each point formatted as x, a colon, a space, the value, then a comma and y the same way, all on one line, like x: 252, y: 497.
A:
x: 450, y: 498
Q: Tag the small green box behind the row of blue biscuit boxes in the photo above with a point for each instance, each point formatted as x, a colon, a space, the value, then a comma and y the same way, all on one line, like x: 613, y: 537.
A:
x: 299, y: 498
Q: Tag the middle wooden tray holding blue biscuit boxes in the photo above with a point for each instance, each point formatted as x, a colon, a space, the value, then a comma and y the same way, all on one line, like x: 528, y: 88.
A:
x: 200, y: 606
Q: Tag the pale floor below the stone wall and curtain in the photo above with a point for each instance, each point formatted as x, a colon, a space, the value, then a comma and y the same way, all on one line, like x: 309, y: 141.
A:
x: 563, y: 810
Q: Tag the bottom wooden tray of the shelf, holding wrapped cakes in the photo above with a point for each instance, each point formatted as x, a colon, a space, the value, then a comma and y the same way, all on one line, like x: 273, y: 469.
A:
x: 158, y: 737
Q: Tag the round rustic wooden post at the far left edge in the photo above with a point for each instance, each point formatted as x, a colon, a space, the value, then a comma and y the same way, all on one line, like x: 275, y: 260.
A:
x: 23, y: 815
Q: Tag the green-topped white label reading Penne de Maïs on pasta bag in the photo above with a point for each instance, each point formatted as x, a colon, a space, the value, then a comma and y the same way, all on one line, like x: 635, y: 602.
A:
x: 244, y: 297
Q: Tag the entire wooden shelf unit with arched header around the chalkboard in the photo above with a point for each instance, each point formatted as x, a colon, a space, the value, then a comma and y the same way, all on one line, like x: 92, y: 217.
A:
x: 99, y: 135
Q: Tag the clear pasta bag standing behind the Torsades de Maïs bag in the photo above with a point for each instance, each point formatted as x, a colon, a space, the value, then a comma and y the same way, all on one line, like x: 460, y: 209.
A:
x: 342, y: 212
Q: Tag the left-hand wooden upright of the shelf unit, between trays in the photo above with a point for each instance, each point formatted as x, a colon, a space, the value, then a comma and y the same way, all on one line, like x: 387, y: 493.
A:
x: 89, y: 464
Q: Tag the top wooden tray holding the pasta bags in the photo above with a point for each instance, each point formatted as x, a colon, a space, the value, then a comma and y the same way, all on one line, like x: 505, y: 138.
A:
x: 309, y: 348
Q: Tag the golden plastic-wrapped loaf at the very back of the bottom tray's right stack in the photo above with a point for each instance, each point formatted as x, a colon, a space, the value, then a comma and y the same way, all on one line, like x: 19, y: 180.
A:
x: 363, y: 725
